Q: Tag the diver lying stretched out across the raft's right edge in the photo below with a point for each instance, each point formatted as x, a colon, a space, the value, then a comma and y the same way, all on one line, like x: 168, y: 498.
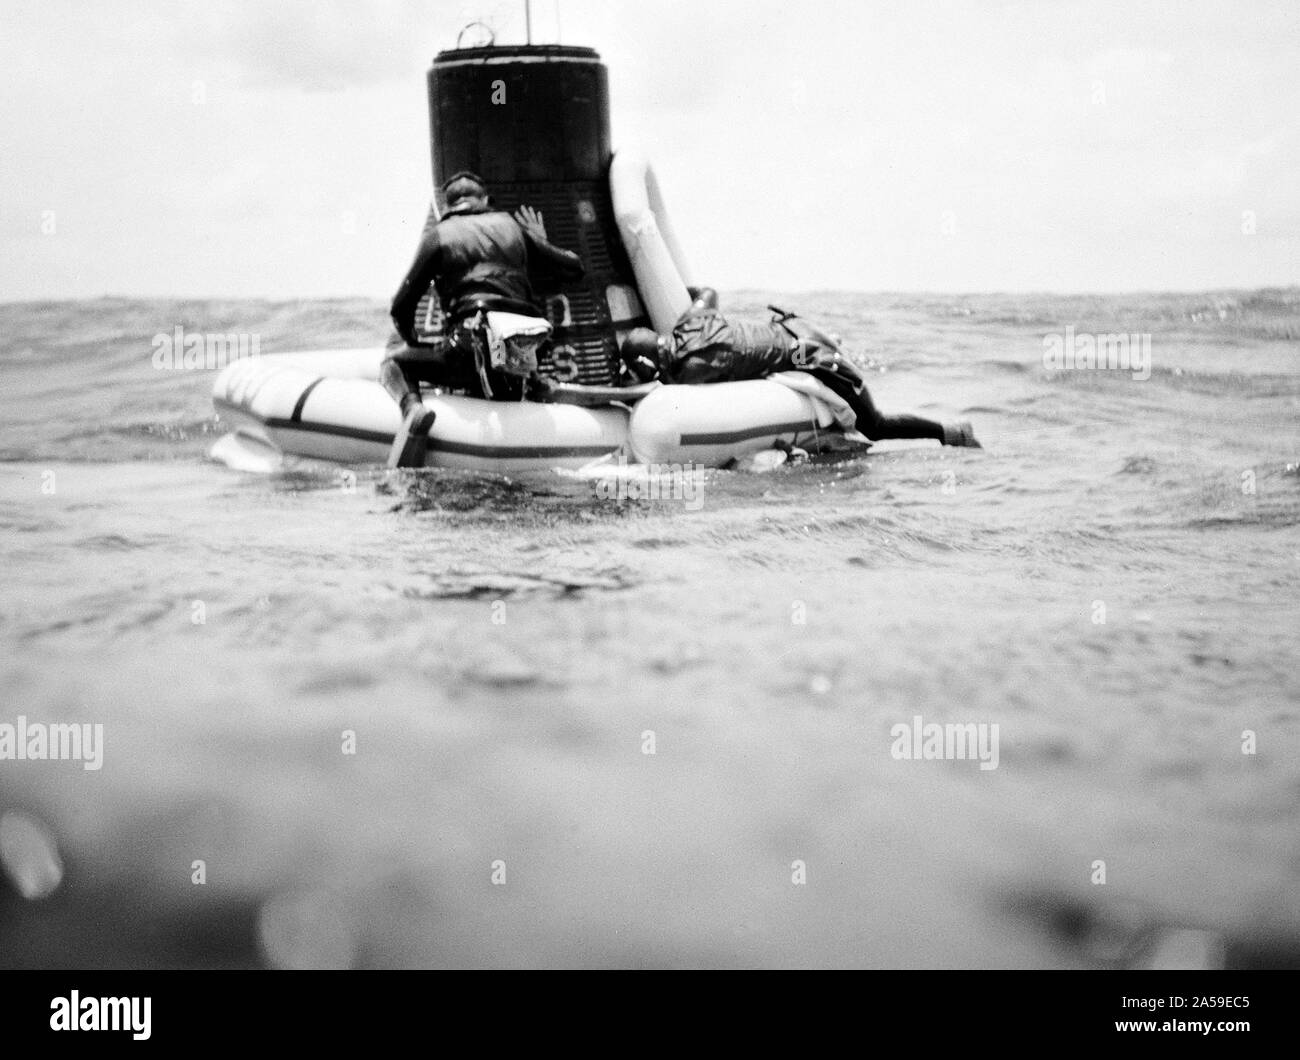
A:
x: 708, y: 348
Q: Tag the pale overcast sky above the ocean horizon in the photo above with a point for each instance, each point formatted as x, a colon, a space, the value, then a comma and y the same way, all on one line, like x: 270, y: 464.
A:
x: 280, y: 148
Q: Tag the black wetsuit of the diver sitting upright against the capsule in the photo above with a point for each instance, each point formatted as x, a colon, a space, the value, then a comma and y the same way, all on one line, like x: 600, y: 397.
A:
x: 479, y: 259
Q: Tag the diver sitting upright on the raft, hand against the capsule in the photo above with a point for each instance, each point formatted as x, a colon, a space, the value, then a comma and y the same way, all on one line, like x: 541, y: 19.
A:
x: 480, y: 261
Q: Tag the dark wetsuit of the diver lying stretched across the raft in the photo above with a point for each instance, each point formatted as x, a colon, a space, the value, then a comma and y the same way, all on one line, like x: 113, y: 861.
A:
x: 708, y: 348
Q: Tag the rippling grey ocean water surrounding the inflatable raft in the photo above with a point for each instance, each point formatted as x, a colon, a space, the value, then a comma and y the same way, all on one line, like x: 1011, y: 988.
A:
x: 408, y: 721
